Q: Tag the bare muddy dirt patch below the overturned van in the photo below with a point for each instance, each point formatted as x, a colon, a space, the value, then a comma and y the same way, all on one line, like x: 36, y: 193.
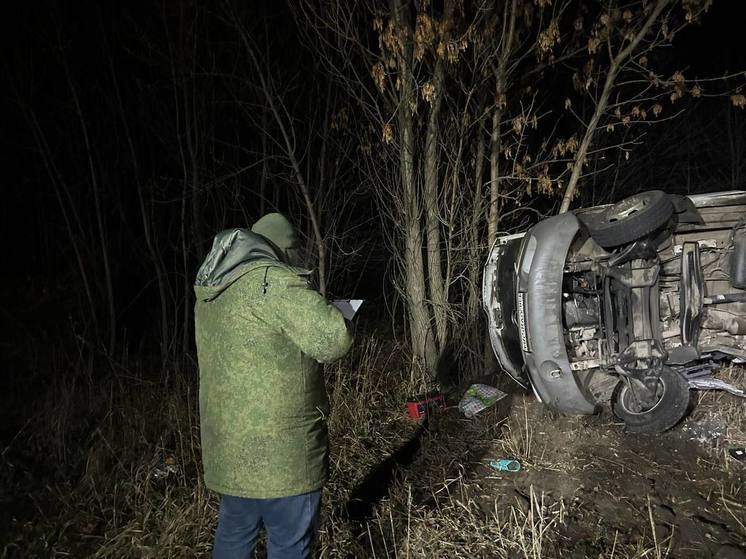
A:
x: 619, y: 487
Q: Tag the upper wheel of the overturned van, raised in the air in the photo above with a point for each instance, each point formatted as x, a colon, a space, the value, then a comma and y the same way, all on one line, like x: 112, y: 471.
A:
x: 631, y: 219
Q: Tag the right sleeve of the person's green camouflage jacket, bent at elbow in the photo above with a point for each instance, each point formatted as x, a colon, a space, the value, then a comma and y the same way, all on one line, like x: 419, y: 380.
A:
x: 305, y: 317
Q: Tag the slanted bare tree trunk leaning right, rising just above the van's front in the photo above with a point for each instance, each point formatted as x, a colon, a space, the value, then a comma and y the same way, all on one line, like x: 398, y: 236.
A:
x: 603, y: 101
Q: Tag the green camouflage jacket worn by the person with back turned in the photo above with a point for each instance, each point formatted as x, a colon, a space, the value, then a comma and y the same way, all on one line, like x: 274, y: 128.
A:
x: 260, y: 335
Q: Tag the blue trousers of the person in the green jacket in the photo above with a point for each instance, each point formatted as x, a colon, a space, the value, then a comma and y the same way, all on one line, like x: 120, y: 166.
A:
x: 291, y: 524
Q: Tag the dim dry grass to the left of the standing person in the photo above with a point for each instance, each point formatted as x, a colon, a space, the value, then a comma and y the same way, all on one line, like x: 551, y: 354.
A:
x: 97, y: 447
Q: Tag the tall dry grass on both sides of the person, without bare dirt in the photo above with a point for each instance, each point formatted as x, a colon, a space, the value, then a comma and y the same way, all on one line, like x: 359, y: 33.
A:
x: 84, y: 476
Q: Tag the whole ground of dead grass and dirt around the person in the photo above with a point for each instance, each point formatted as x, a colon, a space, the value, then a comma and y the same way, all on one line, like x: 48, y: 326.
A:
x: 85, y: 478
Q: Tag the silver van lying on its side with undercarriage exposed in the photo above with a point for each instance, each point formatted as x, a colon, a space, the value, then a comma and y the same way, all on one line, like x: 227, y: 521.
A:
x: 651, y: 300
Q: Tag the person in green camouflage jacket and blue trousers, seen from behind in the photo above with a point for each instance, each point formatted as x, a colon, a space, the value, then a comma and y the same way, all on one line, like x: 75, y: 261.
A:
x: 261, y: 332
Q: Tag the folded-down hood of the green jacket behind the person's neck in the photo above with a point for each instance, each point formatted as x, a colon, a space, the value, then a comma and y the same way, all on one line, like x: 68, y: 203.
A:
x: 232, y: 254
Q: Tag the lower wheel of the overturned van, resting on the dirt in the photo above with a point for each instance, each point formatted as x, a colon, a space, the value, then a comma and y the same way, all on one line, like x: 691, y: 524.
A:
x: 651, y: 412
